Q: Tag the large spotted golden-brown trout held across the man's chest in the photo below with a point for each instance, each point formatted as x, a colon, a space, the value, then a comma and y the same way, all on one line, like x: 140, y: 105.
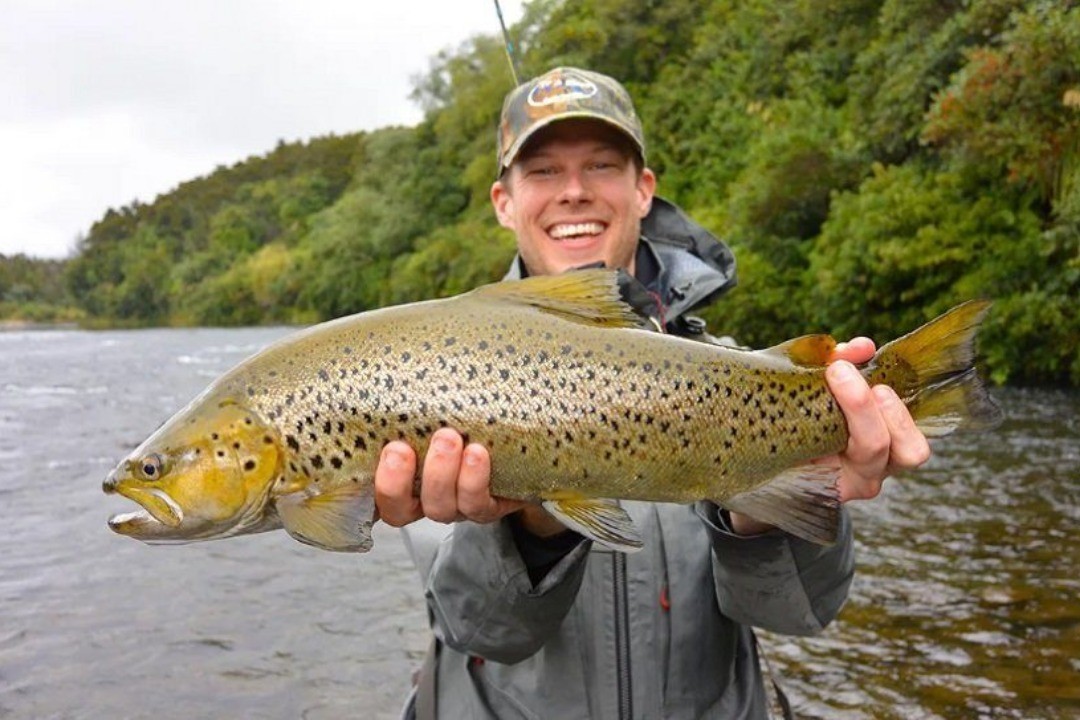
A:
x: 578, y: 402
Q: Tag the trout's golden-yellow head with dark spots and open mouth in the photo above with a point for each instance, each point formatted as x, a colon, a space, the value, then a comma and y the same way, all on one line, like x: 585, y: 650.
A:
x: 207, y: 473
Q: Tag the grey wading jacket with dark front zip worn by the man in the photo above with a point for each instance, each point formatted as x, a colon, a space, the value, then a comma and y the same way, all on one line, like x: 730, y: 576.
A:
x: 665, y: 633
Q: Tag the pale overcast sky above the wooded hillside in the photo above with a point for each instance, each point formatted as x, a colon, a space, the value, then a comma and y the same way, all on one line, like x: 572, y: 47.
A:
x: 106, y: 102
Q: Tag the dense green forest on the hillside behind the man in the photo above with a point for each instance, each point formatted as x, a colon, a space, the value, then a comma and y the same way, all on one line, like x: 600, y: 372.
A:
x: 872, y: 162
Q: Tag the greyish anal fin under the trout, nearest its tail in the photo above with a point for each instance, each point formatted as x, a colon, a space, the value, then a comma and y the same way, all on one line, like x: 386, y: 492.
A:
x: 804, y: 501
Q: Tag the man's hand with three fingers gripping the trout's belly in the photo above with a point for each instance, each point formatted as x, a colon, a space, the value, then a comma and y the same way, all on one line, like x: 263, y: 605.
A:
x: 456, y: 484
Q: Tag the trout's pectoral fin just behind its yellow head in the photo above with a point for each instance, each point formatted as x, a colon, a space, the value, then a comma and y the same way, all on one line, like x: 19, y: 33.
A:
x: 340, y: 520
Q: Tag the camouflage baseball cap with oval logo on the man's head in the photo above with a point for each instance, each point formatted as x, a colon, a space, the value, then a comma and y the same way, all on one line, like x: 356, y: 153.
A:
x: 561, y: 94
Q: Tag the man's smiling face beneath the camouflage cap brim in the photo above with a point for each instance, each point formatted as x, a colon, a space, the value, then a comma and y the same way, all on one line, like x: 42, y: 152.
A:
x: 574, y: 197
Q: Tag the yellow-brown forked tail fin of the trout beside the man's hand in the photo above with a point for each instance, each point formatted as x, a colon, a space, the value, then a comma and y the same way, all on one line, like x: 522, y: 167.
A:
x: 933, y: 370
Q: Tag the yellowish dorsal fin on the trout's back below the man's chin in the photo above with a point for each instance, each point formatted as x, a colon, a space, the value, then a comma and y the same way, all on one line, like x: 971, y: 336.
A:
x: 590, y: 297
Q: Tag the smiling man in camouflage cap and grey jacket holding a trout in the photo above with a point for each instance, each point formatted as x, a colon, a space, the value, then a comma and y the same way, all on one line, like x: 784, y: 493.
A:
x: 534, y: 621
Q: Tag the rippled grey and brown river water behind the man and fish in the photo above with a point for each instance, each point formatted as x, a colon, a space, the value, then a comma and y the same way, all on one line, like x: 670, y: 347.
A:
x: 967, y: 604
